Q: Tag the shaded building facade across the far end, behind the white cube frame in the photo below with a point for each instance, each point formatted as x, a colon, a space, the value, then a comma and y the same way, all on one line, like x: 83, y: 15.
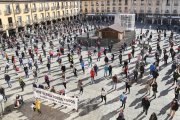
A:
x: 150, y: 11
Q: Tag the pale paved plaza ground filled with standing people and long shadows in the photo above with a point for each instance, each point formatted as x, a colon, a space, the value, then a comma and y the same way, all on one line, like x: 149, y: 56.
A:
x: 70, y: 34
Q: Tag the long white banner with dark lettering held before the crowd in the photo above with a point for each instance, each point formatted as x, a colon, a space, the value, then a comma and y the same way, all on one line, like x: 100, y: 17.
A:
x: 56, y: 98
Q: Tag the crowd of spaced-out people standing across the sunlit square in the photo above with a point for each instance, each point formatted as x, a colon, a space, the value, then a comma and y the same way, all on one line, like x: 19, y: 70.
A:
x: 36, y: 48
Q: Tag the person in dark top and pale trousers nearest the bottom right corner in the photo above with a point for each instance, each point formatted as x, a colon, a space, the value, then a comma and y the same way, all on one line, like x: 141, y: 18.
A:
x: 173, y: 108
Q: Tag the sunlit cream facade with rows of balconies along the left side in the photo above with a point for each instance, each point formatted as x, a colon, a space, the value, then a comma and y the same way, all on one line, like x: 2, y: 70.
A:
x: 18, y: 14
